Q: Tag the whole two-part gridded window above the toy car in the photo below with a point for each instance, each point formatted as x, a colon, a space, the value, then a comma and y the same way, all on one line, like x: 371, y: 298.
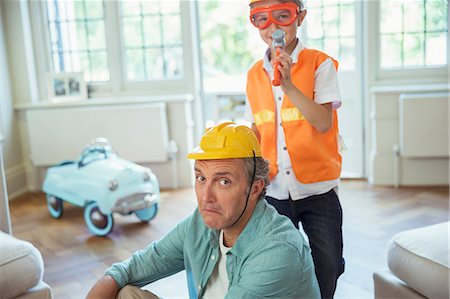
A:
x: 148, y: 47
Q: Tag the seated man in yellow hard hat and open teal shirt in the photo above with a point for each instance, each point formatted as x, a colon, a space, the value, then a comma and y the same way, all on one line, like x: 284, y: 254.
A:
x: 234, y: 245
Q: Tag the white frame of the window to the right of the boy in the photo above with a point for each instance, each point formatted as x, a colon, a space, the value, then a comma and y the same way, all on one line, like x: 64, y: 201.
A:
x: 409, y: 75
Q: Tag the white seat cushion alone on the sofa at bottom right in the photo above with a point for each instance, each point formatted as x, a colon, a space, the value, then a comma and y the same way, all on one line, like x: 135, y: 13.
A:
x: 420, y: 257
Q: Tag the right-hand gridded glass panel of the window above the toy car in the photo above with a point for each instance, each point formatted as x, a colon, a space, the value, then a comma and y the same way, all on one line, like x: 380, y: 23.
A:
x: 152, y: 40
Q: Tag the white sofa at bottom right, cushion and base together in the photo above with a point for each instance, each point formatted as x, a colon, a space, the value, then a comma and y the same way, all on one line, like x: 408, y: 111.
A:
x: 418, y: 262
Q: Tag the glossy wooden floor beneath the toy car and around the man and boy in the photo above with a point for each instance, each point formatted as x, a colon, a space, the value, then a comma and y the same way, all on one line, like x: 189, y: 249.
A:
x: 74, y: 259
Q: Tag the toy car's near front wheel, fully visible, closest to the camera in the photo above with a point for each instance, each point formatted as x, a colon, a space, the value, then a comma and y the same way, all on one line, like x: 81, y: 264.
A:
x: 98, y: 223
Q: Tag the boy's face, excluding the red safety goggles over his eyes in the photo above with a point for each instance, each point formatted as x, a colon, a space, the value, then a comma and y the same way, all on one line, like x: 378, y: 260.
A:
x: 290, y: 30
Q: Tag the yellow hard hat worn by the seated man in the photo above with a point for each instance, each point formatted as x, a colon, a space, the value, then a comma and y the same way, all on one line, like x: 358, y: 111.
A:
x: 226, y: 141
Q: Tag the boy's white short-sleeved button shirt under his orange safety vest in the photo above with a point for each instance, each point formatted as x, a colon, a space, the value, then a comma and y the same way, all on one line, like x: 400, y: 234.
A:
x: 326, y: 90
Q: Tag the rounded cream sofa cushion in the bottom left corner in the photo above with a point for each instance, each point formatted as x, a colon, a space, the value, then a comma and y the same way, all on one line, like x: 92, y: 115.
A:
x: 21, y: 266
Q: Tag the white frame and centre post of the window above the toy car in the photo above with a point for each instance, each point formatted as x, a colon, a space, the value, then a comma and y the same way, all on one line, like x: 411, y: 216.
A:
x: 118, y: 85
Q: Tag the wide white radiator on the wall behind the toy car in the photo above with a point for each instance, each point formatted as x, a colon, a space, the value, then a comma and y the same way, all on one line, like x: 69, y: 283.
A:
x: 137, y: 132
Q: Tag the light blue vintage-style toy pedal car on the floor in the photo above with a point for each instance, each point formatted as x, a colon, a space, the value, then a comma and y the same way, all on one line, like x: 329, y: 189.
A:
x: 102, y: 183
